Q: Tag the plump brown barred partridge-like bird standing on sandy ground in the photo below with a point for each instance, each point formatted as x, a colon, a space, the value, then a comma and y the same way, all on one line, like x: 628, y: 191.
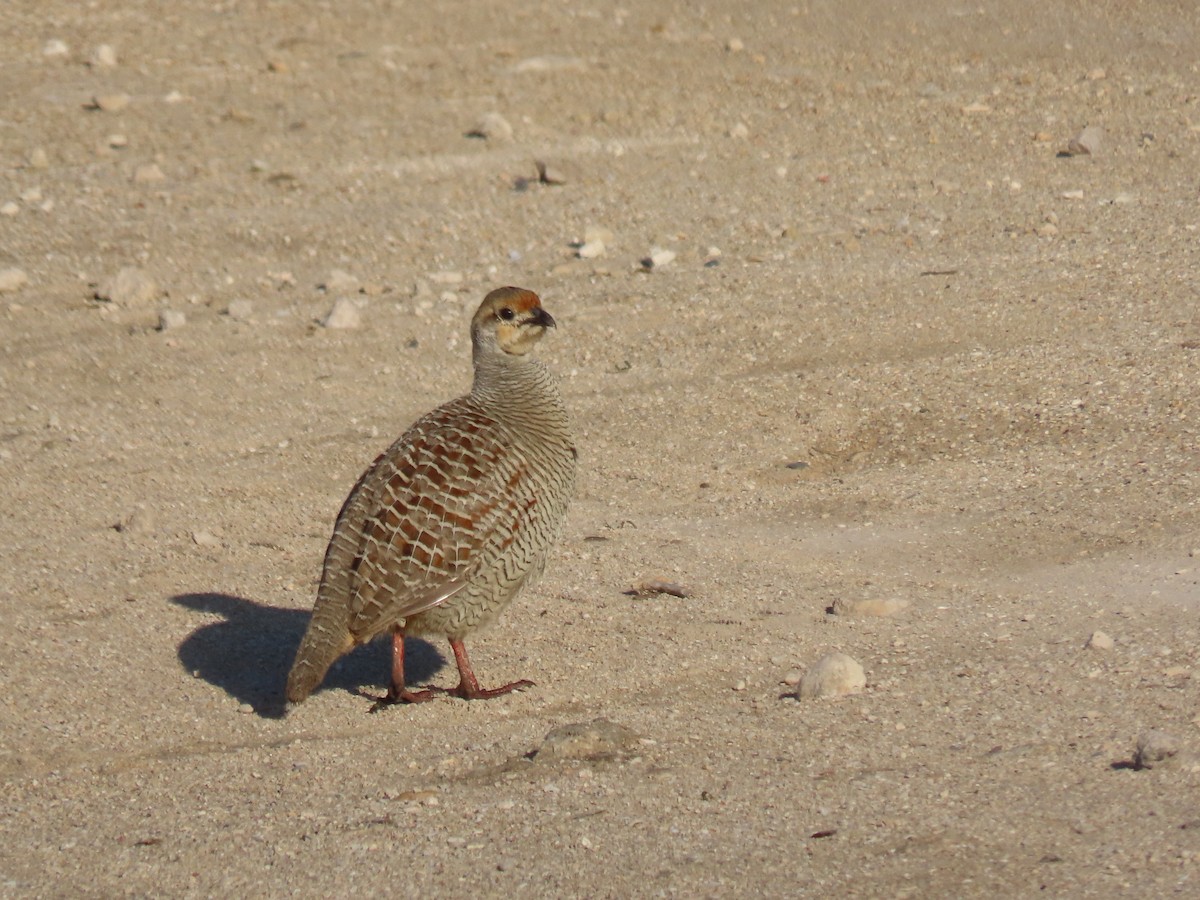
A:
x: 452, y: 521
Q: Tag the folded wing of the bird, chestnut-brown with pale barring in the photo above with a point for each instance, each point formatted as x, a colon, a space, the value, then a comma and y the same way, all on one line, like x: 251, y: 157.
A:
x: 433, y: 511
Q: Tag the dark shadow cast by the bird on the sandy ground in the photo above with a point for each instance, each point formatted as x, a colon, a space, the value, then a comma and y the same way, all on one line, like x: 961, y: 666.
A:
x: 249, y: 655
